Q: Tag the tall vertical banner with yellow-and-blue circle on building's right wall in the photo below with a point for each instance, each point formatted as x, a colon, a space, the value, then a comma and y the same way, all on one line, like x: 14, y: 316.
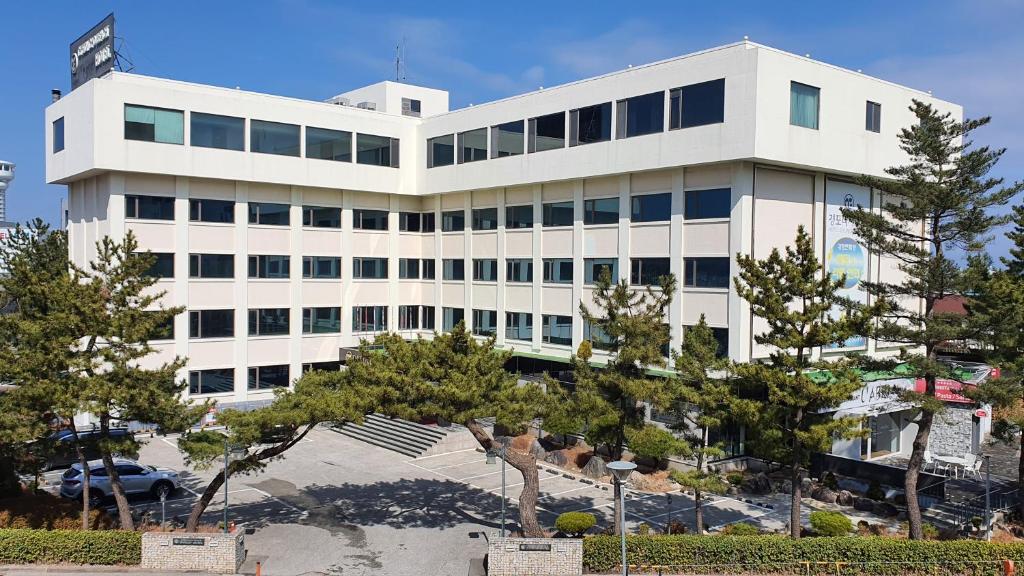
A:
x: 845, y: 254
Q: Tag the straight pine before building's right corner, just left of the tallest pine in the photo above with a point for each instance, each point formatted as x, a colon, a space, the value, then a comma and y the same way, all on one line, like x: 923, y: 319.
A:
x: 797, y: 302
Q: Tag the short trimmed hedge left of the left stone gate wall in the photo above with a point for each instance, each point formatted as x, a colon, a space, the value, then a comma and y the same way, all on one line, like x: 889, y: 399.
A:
x: 70, y: 547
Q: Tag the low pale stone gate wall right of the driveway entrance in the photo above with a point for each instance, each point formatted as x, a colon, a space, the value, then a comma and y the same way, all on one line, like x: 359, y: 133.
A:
x: 535, y: 557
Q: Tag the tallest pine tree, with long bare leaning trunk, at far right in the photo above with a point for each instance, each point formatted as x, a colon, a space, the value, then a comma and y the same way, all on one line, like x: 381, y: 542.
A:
x: 936, y: 204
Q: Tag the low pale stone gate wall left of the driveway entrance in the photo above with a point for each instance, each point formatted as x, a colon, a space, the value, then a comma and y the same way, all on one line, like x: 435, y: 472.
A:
x: 219, y: 553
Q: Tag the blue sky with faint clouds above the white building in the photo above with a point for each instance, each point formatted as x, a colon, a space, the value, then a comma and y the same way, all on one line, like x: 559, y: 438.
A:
x: 971, y: 53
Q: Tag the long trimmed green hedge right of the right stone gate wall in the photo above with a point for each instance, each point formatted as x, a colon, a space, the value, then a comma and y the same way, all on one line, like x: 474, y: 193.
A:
x: 873, y: 556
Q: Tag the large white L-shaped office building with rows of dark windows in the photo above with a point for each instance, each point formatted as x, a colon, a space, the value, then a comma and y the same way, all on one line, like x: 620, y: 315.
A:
x: 292, y: 229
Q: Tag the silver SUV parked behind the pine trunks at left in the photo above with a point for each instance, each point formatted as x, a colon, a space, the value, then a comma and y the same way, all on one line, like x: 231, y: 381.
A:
x: 137, y: 478
